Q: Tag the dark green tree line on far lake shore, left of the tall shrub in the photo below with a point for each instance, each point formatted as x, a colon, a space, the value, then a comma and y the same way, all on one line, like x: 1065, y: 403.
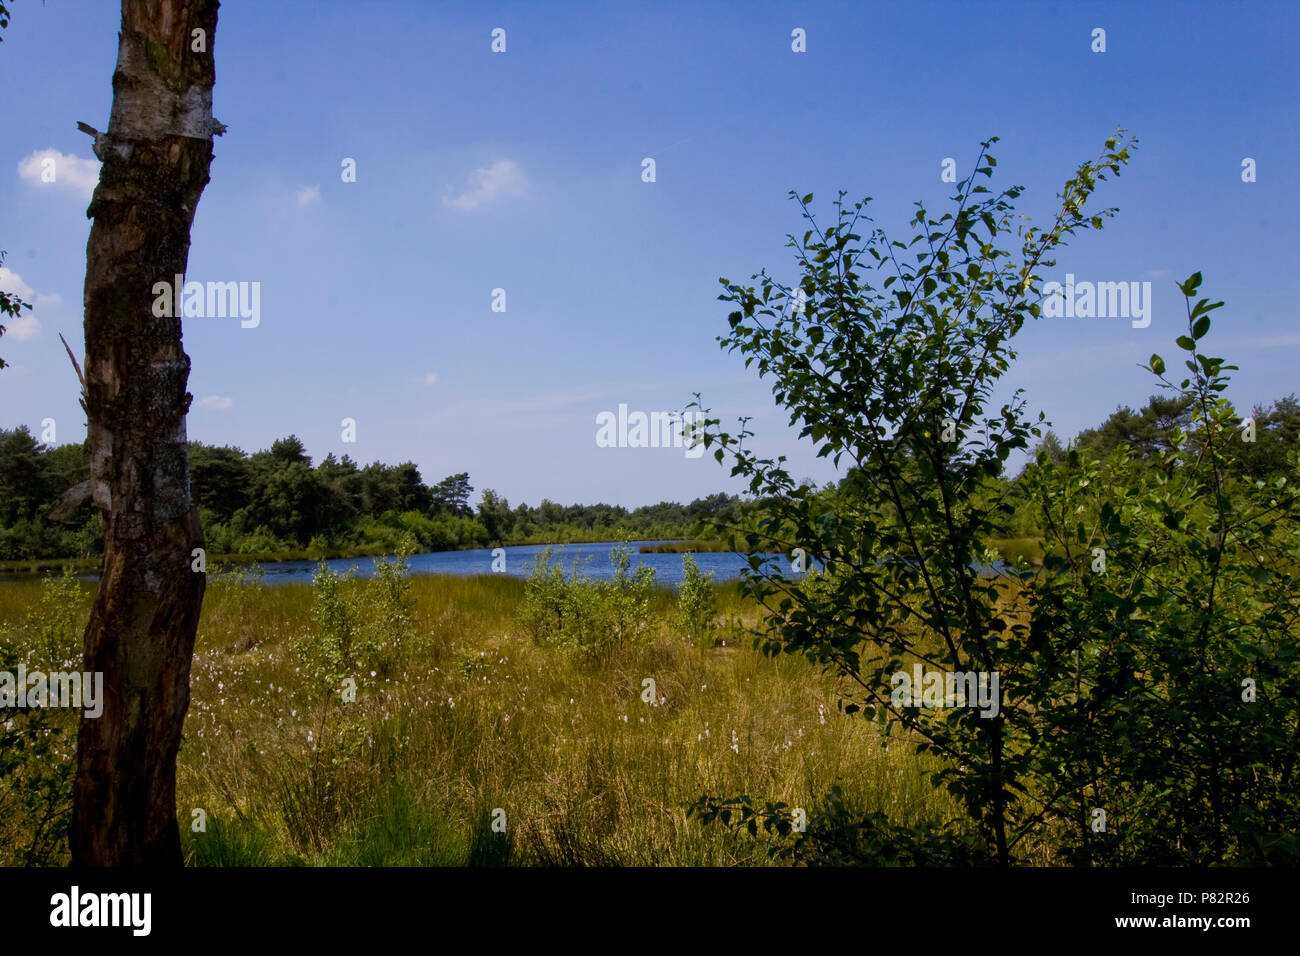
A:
x: 278, y: 501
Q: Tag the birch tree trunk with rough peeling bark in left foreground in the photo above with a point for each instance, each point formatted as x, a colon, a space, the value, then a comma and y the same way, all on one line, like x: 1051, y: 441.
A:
x: 155, y: 157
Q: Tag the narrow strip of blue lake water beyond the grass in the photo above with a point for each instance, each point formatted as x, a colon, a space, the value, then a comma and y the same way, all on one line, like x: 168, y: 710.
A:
x: 593, y: 561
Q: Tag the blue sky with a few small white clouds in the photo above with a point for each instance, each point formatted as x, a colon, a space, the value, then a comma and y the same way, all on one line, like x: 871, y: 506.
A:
x: 522, y: 171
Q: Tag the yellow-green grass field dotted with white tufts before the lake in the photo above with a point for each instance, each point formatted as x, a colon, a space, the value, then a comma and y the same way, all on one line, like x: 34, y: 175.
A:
x: 476, y: 724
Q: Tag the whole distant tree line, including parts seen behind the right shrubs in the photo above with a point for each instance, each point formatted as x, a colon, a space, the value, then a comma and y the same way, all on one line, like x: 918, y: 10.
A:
x: 276, y: 501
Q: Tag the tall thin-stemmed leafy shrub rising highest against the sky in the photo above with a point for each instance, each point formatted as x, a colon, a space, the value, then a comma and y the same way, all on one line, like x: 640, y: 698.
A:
x: 900, y: 383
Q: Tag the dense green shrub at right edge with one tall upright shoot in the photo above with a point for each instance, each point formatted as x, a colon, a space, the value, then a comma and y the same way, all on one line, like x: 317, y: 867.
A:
x: 1173, y: 621
